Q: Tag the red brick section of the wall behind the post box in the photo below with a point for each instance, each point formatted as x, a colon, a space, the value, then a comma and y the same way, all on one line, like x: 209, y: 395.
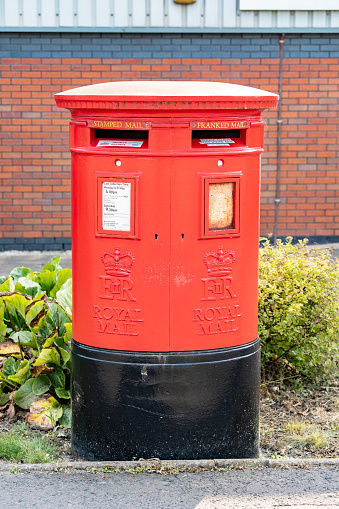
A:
x: 35, y: 162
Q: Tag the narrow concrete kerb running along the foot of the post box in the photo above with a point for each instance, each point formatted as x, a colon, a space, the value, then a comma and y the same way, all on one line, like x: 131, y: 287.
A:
x: 168, y: 466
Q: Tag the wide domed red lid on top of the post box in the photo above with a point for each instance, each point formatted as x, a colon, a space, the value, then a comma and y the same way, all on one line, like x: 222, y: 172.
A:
x: 166, y: 95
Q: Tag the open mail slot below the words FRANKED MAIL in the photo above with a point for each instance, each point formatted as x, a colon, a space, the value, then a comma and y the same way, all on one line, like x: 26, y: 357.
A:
x: 217, y: 138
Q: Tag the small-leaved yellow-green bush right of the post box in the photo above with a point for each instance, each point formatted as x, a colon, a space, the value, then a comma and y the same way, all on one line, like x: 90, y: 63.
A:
x: 298, y: 310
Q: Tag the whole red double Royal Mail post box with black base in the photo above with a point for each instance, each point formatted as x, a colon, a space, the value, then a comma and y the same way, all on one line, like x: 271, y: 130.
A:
x: 165, y: 213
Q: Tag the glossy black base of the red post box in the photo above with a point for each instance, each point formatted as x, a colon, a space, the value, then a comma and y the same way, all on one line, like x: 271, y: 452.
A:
x: 177, y: 405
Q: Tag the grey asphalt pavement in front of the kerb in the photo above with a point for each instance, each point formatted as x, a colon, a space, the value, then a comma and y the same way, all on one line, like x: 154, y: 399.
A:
x: 264, y: 488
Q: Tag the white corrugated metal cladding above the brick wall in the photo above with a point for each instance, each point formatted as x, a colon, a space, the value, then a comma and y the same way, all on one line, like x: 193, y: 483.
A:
x: 166, y: 14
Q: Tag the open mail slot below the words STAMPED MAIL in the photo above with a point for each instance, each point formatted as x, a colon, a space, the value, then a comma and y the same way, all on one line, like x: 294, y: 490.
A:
x: 123, y: 139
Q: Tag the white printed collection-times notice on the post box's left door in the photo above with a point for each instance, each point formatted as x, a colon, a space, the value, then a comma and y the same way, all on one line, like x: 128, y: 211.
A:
x: 116, y: 206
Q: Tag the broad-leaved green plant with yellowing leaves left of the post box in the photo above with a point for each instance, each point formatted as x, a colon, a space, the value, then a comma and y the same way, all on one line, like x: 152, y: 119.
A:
x: 35, y: 332
